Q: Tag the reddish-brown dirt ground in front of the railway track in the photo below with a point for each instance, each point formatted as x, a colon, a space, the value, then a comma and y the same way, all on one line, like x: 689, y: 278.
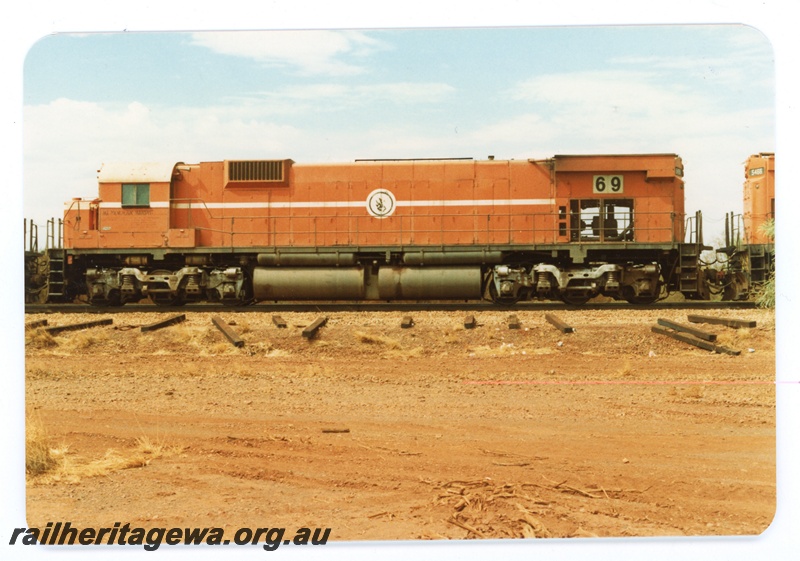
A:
x: 384, y: 433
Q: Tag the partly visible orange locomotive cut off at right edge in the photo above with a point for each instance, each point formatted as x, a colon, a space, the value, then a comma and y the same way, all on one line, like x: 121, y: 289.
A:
x: 749, y: 248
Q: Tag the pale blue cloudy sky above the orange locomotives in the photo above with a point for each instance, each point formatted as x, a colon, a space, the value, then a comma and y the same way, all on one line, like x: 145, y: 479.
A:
x: 704, y: 92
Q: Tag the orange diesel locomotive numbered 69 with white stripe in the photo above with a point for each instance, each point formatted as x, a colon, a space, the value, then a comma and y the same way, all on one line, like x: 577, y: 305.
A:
x: 568, y: 227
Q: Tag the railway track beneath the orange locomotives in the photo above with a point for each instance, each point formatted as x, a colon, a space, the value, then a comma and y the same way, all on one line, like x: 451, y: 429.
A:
x: 380, y: 307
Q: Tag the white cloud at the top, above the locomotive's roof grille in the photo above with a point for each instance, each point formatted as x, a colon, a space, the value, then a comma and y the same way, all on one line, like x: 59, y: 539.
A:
x: 306, y: 52
